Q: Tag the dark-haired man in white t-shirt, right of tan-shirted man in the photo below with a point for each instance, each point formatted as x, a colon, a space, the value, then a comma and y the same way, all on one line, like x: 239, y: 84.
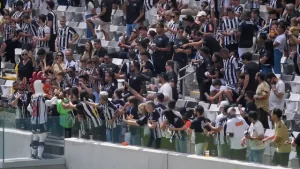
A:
x: 277, y: 92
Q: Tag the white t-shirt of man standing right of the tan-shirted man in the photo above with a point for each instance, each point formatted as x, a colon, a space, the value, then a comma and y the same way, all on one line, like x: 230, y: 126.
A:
x: 274, y: 101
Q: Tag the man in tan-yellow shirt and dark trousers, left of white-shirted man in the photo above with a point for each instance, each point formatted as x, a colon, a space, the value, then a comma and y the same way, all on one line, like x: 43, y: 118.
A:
x: 262, y: 99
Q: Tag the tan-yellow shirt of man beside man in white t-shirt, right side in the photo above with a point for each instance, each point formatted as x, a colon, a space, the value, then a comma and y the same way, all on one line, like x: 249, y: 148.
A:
x: 261, y: 90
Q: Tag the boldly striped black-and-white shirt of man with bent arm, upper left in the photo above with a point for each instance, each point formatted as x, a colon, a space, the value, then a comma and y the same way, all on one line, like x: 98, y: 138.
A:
x: 65, y: 36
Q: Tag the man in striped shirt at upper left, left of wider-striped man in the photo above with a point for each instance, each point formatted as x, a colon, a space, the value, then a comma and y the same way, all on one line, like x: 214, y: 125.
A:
x: 43, y: 36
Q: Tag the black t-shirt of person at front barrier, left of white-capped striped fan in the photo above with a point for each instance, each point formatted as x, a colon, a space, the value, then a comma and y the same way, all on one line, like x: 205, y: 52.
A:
x: 198, y: 125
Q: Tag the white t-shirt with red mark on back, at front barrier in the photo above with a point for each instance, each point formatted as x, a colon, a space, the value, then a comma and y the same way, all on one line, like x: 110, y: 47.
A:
x: 237, y: 126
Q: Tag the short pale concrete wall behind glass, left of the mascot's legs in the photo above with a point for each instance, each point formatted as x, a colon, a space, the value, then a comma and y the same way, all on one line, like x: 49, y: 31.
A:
x: 16, y: 143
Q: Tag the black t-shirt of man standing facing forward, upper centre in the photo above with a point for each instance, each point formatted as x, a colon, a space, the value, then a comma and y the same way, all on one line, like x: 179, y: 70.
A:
x: 161, y: 41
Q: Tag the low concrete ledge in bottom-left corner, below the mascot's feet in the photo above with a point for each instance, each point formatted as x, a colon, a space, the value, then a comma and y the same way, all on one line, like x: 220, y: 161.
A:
x: 28, y: 162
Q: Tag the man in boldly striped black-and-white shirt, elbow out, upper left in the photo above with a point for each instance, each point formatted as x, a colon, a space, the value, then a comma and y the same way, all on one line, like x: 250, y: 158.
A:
x: 67, y: 36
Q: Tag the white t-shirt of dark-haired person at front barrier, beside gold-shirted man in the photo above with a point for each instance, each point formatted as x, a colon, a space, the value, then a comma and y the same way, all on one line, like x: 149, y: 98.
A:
x: 256, y: 130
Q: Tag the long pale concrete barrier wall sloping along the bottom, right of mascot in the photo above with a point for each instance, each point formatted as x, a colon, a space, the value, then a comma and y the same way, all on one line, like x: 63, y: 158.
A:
x: 81, y: 154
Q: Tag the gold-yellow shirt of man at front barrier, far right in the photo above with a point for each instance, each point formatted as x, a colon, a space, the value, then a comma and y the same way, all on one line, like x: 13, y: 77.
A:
x: 281, y: 131
